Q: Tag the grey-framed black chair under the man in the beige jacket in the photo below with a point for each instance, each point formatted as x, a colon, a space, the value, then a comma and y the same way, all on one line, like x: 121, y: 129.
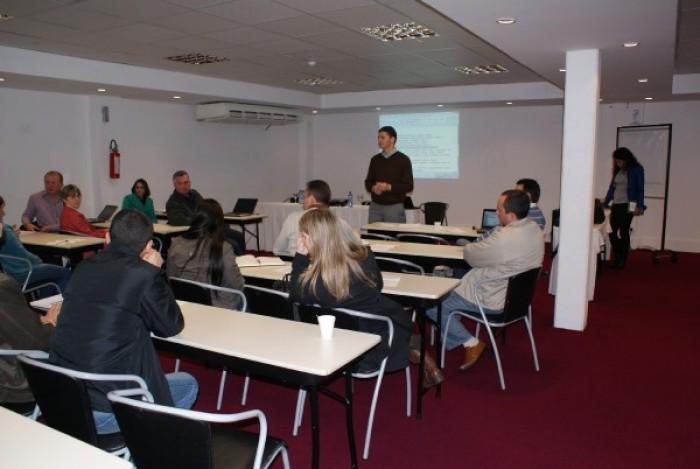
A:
x: 517, y: 307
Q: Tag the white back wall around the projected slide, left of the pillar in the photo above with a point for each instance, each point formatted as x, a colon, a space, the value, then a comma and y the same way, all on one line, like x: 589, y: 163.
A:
x: 497, y: 147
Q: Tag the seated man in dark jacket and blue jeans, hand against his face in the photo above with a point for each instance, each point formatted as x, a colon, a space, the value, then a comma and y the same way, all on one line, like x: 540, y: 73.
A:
x: 115, y: 300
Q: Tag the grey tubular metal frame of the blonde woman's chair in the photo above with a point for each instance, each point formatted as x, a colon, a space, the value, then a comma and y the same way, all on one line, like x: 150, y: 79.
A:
x: 378, y: 374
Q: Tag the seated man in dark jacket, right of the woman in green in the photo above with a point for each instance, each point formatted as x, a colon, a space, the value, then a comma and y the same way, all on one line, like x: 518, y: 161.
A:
x: 182, y: 202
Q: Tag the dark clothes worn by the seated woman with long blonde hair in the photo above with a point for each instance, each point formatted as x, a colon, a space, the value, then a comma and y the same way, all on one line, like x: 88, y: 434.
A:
x: 366, y: 298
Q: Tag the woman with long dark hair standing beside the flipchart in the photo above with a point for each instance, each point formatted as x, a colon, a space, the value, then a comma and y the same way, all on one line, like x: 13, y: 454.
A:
x: 626, y: 192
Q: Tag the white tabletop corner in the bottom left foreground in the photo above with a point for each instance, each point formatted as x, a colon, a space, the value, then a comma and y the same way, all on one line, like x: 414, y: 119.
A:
x: 27, y: 444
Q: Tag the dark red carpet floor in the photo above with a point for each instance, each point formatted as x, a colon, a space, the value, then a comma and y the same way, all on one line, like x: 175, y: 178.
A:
x: 622, y: 394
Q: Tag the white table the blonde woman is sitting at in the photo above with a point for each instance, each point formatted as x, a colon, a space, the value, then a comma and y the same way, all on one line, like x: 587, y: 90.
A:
x: 422, y: 292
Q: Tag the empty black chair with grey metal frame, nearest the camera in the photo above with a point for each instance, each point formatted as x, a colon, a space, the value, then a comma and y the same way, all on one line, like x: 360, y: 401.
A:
x: 166, y: 437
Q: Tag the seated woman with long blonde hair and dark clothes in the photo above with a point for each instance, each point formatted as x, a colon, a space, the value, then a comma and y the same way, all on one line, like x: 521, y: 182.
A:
x: 333, y: 269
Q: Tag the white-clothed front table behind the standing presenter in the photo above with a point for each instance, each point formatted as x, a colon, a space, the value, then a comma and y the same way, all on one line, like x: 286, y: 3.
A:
x: 277, y: 212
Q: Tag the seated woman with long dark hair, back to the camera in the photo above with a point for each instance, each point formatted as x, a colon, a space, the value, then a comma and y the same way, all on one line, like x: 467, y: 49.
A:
x: 204, y: 254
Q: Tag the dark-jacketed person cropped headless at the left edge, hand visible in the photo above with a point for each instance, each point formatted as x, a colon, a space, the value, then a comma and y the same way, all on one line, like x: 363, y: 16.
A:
x: 20, y: 329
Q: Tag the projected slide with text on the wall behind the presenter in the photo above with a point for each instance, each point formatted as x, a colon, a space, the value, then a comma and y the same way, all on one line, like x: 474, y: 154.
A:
x: 430, y: 139
